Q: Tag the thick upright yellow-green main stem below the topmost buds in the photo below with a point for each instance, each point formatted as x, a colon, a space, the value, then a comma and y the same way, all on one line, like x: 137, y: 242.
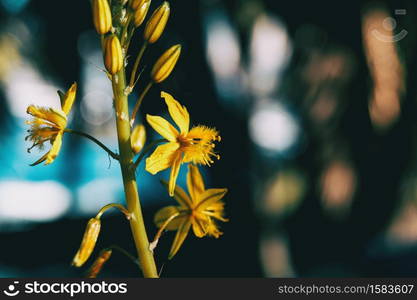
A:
x: 137, y: 225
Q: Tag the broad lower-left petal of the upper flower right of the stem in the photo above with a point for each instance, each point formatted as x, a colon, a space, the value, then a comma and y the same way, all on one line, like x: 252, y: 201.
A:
x: 162, y: 158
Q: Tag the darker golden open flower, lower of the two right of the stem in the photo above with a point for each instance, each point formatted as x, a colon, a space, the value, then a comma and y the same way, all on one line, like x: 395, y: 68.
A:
x: 198, y: 210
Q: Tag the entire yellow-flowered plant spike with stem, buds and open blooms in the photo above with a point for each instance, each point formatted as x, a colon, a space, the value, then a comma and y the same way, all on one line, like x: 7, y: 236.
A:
x: 200, y: 208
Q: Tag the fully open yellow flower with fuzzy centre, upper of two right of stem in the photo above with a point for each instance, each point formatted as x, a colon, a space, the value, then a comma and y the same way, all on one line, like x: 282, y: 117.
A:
x: 195, y: 145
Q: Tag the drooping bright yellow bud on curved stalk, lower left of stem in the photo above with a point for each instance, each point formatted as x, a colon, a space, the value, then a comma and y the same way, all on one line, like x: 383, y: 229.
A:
x: 88, y: 243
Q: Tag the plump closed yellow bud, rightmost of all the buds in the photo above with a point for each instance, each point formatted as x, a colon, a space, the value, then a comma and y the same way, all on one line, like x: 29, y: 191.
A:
x: 165, y: 64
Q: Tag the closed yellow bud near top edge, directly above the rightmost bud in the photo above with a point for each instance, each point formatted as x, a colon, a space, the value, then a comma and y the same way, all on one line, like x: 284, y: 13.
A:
x: 156, y: 24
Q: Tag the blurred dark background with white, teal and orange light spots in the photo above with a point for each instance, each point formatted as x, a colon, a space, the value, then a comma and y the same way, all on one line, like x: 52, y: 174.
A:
x: 316, y: 105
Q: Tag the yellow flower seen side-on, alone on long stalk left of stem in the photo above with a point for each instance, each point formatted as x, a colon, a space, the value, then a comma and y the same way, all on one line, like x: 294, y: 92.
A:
x: 49, y: 124
